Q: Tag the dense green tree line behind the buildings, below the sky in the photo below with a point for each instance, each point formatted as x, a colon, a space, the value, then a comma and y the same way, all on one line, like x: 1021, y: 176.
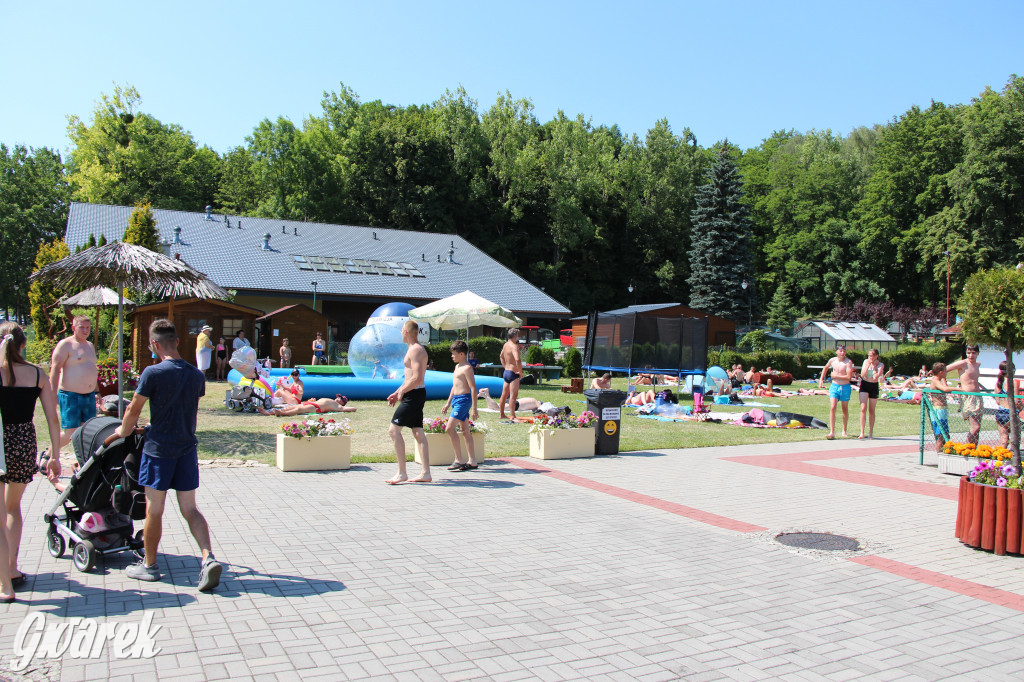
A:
x: 584, y: 210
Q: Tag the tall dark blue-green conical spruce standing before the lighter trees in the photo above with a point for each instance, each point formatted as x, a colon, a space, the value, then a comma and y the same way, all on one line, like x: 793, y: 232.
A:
x: 720, y: 246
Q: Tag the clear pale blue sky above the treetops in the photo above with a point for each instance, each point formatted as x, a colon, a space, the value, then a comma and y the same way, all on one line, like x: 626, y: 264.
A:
x: 737, y: 70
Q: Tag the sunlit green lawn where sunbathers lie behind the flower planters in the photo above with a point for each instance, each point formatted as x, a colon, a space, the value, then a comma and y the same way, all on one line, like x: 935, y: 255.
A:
x: 231, y: 435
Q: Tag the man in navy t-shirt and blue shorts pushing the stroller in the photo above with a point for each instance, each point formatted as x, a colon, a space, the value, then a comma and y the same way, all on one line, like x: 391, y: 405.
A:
x: 170, y: 459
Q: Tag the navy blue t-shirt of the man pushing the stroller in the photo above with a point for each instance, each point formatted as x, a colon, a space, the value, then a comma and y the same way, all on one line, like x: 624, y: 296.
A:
x: 174, y: 389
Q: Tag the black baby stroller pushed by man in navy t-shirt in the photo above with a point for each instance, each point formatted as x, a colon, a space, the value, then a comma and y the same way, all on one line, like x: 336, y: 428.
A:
x: 95, y: 513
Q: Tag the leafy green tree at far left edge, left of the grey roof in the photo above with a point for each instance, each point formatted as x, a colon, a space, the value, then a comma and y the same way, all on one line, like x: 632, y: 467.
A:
x: 34, y: 199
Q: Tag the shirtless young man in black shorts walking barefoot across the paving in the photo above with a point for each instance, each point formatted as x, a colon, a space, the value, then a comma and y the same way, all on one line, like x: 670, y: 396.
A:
x: 412, y: 396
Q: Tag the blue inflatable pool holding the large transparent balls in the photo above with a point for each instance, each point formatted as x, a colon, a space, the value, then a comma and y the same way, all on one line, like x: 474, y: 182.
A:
x: 328, y: 386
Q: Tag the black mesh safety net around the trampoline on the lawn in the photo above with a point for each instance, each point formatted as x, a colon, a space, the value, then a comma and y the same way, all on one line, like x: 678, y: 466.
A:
x: 630, y: 343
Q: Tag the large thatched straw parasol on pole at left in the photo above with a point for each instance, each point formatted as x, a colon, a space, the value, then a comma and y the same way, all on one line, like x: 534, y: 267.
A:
x: 121, y: 266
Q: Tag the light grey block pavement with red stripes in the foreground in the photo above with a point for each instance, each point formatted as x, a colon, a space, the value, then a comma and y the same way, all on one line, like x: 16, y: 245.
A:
x: 653, y: 566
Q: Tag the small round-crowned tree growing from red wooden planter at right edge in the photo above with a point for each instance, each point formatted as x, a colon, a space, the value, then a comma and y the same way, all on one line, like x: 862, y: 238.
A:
x: 993, y: 305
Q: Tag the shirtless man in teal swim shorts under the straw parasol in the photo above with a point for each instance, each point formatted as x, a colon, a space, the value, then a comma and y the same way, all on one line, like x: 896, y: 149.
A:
x: 73, y: 378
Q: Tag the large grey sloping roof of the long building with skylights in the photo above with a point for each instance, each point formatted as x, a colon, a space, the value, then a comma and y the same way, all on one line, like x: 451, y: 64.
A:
x: 229, y: 249
